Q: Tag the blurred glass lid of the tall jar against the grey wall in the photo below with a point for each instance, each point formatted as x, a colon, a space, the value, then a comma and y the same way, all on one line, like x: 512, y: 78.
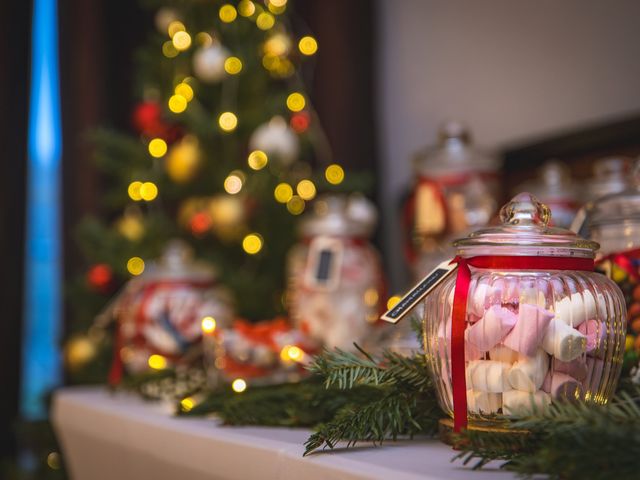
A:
x: 453, y: 154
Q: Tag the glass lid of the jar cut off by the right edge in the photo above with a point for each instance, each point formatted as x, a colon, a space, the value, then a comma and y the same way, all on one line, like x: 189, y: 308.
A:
x: 618, y: 208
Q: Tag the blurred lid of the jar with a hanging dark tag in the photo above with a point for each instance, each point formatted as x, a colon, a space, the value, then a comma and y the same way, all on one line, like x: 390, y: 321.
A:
x: 340, y: 215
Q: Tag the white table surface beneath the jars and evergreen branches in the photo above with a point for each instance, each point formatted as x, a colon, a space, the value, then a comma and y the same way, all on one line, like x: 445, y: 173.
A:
x: 119, y: 436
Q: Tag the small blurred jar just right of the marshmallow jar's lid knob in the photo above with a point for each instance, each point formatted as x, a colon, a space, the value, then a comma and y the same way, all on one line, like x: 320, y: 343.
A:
x: 555, y: 188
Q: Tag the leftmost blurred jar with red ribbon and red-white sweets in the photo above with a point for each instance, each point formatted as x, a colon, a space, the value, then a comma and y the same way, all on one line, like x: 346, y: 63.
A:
x: 159, y: 313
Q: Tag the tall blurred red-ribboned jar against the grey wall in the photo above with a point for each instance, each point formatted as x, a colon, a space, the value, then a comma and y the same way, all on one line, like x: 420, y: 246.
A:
x: 456, y: 190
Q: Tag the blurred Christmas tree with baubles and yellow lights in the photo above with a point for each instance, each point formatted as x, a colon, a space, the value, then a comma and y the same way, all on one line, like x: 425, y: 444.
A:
x: 225, y: 153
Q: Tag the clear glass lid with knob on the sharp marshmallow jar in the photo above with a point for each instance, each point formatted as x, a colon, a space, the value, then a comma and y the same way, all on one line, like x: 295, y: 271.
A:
x: 525, y: 230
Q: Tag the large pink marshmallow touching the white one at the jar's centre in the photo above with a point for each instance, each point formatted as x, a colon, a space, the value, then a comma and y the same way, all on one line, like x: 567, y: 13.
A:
x: 530, y: 329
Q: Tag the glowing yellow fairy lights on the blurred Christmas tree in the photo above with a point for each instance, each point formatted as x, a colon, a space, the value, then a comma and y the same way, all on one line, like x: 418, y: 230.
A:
x: 275, y: 61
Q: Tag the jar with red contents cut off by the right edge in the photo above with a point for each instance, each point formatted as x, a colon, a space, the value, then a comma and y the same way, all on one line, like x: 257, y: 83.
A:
x: 614, y: 222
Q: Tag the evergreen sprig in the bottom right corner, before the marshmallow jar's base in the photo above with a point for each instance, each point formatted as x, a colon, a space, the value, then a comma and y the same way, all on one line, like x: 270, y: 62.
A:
x: 567, y: 441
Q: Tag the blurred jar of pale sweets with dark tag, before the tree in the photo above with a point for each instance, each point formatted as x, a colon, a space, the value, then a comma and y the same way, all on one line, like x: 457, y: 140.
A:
x: 335, y: 279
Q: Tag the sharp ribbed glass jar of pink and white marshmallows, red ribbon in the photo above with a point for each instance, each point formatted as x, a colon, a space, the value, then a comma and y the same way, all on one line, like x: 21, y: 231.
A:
x: 538, y: 324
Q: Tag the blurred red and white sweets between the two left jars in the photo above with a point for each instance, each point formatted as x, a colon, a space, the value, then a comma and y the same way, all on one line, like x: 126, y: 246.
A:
x: 264, y: 353
